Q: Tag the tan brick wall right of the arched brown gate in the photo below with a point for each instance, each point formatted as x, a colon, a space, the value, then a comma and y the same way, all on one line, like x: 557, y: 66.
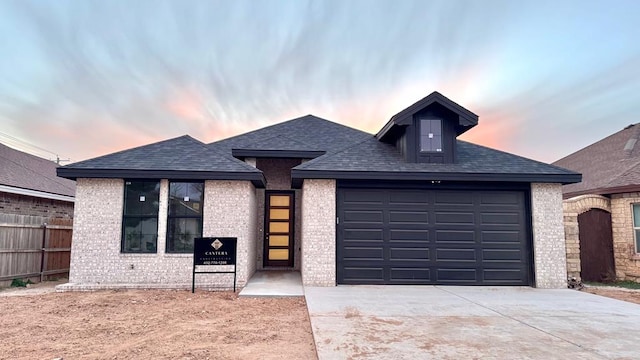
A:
x: 626, y: 259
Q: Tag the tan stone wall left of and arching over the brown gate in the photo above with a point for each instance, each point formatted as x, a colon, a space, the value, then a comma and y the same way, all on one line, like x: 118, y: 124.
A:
x: 571, y: 209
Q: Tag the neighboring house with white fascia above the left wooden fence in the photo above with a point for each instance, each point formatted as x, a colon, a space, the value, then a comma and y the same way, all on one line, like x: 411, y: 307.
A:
x: 29, y: 186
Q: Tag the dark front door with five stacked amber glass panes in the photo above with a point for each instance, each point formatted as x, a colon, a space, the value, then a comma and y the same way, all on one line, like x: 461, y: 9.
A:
x: 278, y: 240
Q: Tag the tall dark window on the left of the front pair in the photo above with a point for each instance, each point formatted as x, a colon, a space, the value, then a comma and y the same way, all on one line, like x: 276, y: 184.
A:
x: 140, y: 216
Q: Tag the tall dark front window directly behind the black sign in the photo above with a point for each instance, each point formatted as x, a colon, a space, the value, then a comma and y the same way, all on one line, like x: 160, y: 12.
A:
x: 184, y: 222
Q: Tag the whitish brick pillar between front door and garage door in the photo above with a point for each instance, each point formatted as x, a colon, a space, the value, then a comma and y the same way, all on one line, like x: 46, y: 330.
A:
x: 319, y: 232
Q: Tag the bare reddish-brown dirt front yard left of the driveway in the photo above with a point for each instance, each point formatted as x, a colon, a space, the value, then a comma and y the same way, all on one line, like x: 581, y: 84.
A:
x: 151, y: 324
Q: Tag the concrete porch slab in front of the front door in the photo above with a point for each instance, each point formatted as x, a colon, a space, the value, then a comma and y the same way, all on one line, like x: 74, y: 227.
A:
x: 273, y: 284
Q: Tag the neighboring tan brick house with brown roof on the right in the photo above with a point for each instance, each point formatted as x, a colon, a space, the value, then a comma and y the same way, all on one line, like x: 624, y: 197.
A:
x: 602, y: 213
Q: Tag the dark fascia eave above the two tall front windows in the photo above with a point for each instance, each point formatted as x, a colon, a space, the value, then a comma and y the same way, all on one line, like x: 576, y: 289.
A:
x: 257, y: 178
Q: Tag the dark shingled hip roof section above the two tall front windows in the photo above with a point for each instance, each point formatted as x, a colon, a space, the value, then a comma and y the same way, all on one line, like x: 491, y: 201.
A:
x: 180, y: 158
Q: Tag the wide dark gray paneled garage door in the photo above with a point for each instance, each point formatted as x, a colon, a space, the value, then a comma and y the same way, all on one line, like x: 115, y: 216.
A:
x: 460, y: 237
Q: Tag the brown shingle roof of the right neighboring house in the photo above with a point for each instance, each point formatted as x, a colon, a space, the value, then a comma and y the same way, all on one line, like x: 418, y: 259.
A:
x: 609, y: 166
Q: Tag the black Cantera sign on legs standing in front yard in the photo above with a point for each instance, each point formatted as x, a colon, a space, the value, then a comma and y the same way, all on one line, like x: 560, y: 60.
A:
x: 214, y: 251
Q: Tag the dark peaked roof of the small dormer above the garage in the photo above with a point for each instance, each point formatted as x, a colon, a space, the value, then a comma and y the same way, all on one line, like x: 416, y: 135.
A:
x: 466, y: 119
